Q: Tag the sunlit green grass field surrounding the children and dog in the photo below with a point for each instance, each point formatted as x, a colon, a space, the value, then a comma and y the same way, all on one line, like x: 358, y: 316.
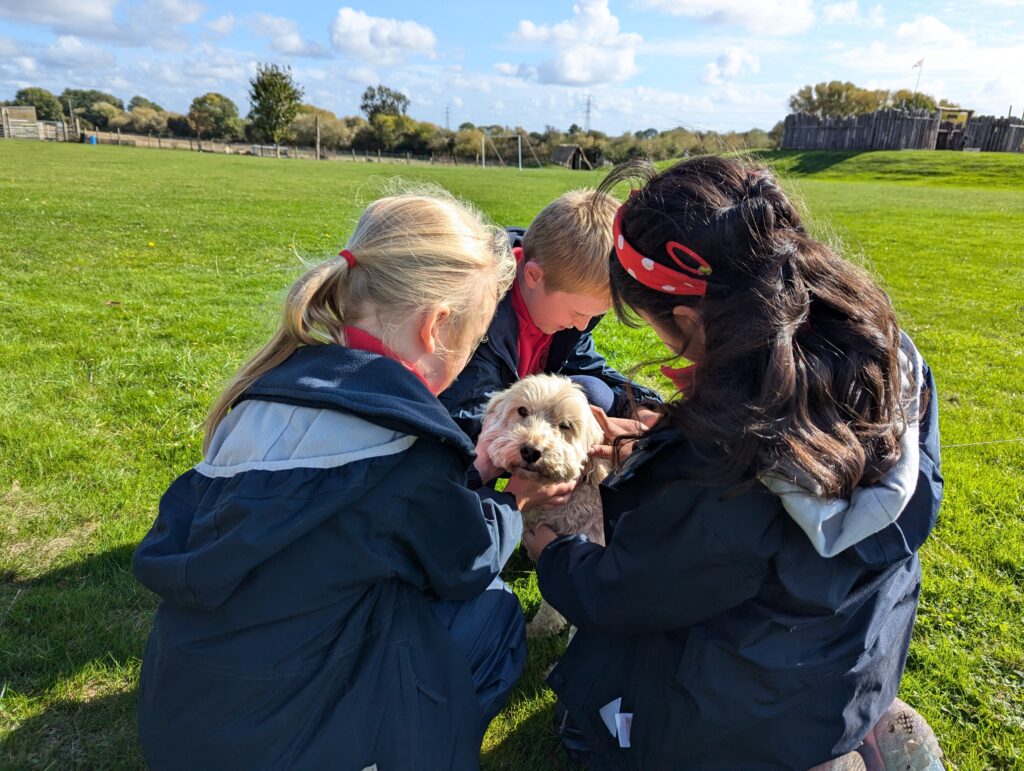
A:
x: 134, y: 283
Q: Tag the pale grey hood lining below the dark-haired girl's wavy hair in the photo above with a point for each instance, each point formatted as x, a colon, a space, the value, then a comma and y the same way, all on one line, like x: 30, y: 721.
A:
x: 834, y: 526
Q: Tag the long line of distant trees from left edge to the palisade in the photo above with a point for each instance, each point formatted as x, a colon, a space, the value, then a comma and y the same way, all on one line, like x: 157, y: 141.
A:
x: 278, y: 116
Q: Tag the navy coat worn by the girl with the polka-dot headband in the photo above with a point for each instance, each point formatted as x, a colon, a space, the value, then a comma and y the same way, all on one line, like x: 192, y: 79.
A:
x: 731, y: 639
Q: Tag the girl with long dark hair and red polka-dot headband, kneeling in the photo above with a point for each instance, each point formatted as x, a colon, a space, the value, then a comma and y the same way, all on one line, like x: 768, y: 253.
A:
x: 755, y: 602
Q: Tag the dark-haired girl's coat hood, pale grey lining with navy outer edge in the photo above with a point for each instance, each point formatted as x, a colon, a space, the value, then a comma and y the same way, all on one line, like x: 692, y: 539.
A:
x: 834, y: 526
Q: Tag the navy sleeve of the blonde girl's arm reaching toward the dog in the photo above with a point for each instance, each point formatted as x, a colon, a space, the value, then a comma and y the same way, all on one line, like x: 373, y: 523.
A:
x: 460, y: 538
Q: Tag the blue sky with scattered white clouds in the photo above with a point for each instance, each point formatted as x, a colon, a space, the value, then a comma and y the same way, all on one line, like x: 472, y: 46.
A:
x: 638, y: 64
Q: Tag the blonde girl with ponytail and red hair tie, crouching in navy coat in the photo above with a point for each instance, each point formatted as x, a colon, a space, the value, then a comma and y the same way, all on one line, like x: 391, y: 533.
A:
x: 329, y: 583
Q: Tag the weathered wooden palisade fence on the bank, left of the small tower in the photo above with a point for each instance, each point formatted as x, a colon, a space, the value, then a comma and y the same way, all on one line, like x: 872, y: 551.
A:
x: 886, y: 130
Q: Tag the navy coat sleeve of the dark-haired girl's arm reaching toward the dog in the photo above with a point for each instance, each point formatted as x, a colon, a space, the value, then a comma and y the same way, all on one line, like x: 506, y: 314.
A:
x: 662, y: 571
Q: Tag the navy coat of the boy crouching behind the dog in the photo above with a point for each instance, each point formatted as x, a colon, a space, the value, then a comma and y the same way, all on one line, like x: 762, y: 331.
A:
x: 495, y: 366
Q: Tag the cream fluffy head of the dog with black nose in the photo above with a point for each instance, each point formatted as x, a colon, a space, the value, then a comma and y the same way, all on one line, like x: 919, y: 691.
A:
x: 541, y: 427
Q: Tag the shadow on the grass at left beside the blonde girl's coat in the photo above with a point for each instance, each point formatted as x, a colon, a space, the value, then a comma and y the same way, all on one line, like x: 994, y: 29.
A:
x: 70, y: 644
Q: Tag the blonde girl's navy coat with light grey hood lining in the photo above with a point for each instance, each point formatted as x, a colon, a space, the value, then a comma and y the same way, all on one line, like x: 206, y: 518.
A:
x: 296, y: 565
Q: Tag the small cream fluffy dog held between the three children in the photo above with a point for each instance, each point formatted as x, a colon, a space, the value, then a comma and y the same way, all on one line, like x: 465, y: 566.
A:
x: 542, y: 427
